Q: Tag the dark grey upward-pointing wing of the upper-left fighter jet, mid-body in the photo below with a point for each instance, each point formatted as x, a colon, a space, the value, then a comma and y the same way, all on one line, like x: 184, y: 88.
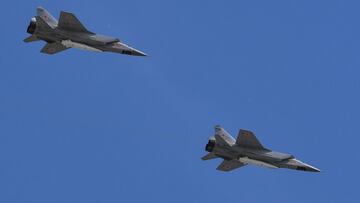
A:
x: 68, y: 21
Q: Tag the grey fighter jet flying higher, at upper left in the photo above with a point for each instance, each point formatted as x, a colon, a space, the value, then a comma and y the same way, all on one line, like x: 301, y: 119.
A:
x: 70, y: 33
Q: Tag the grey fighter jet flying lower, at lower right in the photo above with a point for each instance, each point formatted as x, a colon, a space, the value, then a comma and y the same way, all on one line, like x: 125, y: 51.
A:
x: 247, y: 149
